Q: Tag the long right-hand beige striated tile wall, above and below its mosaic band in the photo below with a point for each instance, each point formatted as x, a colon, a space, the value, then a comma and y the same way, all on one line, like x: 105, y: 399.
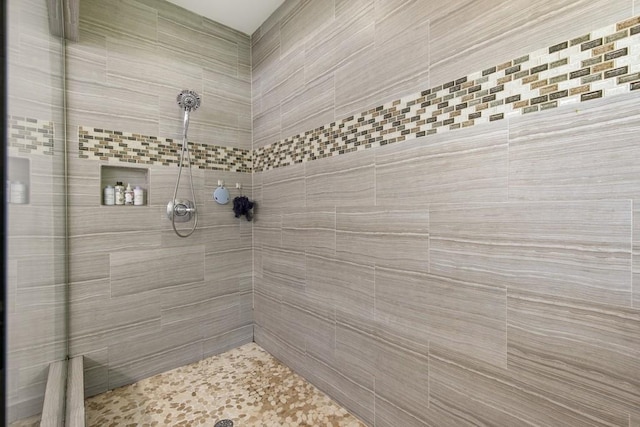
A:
x: 479, y: 276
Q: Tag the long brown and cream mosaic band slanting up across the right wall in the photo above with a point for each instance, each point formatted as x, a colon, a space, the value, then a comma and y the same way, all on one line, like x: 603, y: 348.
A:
x: 602, y: 63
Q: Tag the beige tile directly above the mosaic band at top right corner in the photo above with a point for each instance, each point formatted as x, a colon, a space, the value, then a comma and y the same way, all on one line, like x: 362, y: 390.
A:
x: 524, y: 27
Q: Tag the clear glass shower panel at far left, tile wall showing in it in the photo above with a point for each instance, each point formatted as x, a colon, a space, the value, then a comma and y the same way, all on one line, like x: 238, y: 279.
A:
x: 35, y: 206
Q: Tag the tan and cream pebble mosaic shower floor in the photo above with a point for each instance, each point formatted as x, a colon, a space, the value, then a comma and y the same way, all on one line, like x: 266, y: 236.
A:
x: 246, y: 385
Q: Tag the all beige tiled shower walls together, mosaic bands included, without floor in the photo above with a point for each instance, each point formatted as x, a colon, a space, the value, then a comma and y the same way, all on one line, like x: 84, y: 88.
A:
x: 447, y: 223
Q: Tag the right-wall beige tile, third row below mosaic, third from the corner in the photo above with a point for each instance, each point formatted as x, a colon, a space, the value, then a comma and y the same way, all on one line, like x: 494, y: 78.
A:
x: 424, y: 308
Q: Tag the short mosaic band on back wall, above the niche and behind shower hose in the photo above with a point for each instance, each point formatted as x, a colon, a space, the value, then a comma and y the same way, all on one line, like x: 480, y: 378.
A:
x: 116, y: 146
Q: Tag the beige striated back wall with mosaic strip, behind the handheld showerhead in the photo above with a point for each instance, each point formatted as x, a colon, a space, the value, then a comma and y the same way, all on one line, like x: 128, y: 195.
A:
x: 143, y: 300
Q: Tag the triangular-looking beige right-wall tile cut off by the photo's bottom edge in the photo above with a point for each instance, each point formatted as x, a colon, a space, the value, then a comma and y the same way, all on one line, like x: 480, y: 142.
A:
x: 464, y: 391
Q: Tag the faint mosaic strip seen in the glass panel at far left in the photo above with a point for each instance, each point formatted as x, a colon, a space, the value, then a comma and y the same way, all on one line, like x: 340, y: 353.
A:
x: 30, y: 136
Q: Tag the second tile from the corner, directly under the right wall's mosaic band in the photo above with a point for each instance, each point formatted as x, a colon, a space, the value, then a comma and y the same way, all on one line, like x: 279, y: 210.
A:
x: 345, y: 180
